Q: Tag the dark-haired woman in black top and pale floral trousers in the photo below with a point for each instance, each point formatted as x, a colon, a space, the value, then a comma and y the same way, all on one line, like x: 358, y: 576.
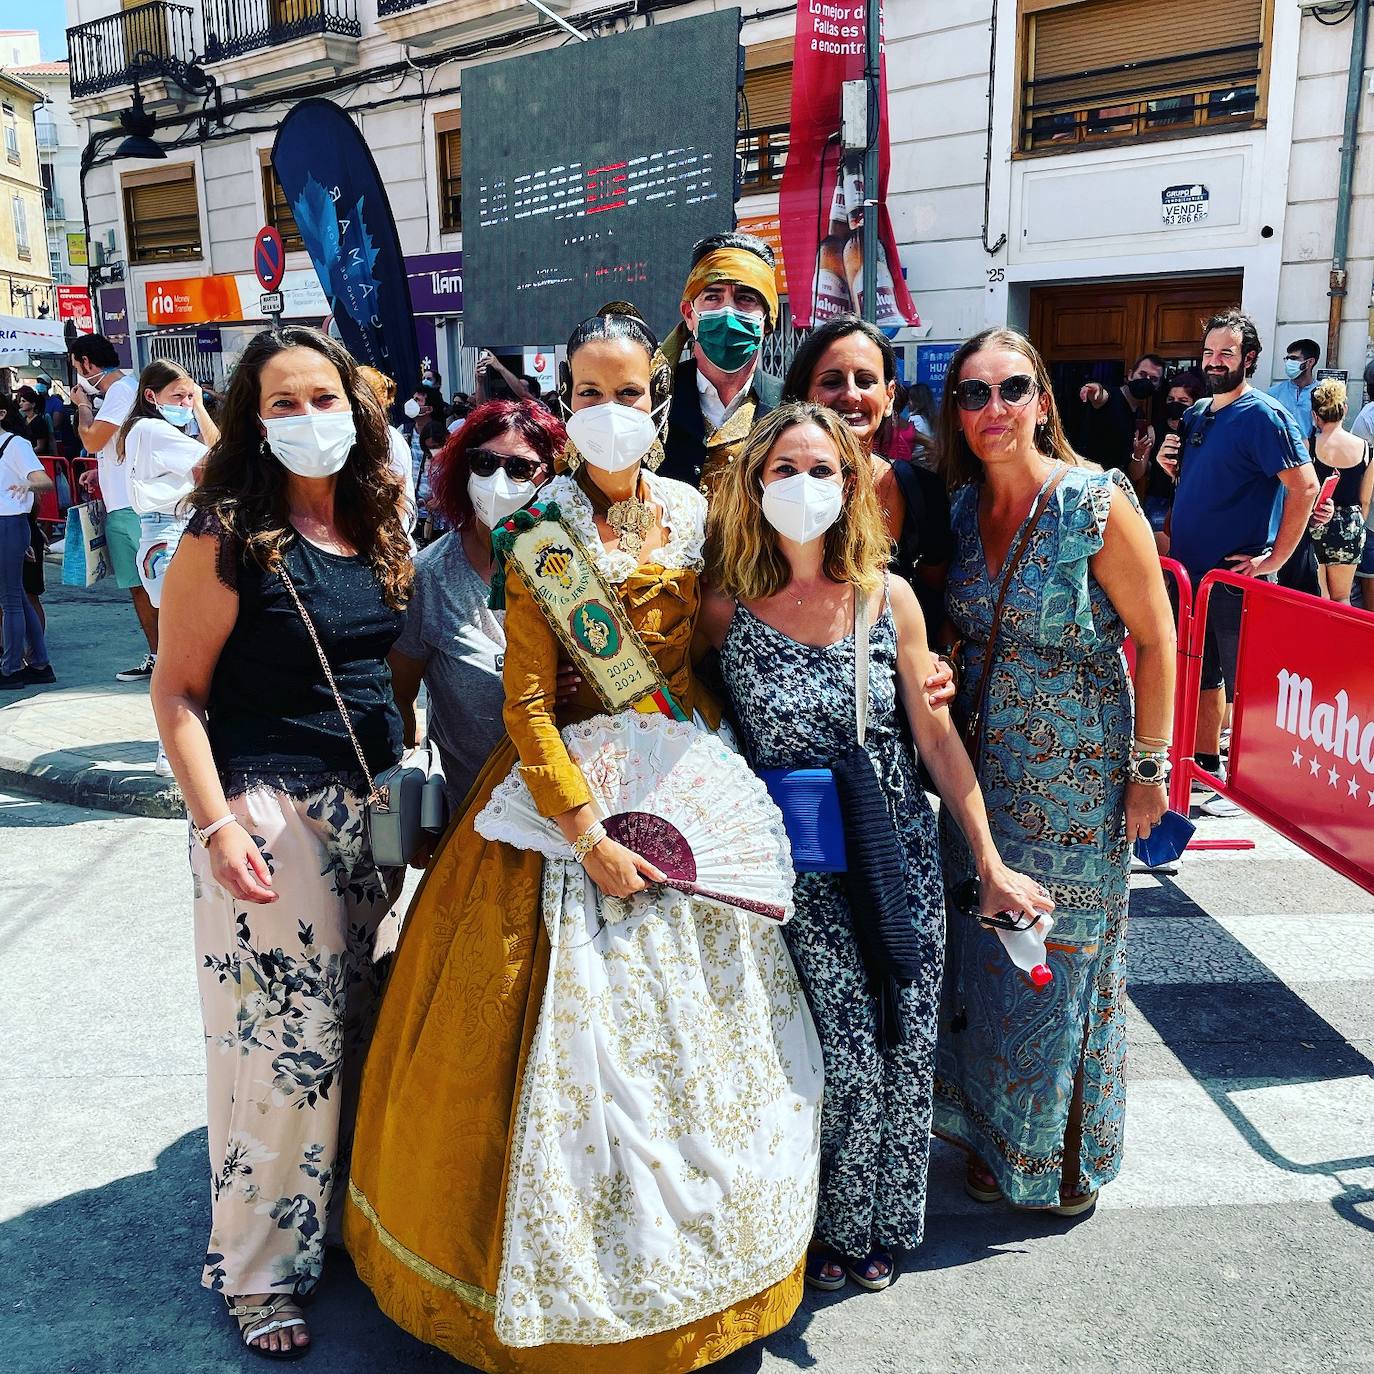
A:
x: 297, y: 494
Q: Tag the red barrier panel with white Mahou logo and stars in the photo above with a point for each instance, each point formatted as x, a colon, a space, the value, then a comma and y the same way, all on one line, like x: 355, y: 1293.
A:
x: 1303, y: 739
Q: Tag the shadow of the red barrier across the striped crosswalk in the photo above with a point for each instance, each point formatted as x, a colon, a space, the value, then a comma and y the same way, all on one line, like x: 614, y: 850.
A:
x: 1235, y: 1024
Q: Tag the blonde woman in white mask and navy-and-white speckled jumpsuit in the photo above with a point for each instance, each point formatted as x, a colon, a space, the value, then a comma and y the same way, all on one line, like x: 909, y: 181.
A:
x: 795, y: 537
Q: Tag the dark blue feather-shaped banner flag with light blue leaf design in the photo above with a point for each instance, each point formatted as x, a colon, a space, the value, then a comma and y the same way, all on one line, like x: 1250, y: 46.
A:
x: 346, y: 221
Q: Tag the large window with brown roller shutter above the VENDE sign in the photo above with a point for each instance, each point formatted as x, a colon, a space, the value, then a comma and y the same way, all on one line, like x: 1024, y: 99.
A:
x: 1114, y: 71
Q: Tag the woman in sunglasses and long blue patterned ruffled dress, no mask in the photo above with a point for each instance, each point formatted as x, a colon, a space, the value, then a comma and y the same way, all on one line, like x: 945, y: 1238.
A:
x: 1031, y: 1082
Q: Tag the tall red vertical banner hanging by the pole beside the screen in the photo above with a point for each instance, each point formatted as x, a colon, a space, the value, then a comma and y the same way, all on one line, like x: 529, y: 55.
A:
x: 822, y: 197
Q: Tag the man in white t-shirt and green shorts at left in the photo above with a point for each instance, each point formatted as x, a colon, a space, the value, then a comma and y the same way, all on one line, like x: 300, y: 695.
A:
x: 100, y: 376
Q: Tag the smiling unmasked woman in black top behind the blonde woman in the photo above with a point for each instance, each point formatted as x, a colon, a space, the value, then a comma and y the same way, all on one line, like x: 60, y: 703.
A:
x: 851, y: 368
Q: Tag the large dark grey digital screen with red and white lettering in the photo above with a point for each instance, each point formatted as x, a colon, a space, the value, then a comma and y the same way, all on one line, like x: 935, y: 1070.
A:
x: 590, y: 172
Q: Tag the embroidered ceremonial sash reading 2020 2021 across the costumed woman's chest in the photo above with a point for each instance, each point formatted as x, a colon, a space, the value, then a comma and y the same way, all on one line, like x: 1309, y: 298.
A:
x: 583, y: 611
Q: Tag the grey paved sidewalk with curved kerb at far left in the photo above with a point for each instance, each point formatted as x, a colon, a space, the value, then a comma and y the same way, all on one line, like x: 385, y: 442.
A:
x: 87, y: 741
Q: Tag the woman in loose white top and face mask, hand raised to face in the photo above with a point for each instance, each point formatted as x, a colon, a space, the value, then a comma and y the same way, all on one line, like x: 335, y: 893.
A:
x: 164, y: 462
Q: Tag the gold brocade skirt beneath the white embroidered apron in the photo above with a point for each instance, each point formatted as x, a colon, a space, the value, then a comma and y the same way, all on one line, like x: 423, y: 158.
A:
x: 425, y: 1213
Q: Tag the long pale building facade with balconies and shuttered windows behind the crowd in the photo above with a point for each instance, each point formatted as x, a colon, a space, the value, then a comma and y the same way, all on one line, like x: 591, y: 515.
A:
x: 1101, y: 174
